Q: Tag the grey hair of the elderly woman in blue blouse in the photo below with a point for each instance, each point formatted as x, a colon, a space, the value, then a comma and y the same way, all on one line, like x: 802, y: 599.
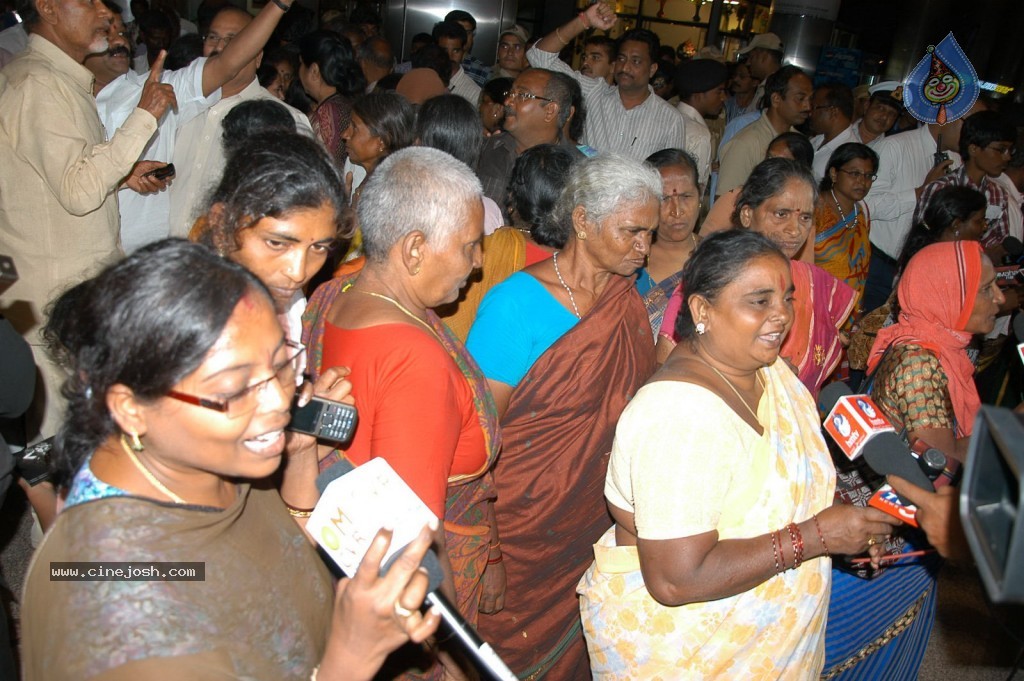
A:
x: 604, y: 185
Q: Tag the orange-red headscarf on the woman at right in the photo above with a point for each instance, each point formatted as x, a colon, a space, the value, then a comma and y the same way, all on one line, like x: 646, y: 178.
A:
x: 936, y: 295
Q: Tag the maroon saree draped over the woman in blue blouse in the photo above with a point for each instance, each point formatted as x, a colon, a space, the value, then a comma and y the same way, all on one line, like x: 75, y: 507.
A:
x: 558, y: 437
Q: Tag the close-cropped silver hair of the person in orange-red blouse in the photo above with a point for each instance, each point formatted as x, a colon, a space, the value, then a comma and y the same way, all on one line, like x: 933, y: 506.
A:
x: 415, y: 189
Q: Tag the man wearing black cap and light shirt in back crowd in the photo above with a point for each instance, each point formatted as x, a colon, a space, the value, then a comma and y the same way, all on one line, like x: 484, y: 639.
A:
x: 701, y: 84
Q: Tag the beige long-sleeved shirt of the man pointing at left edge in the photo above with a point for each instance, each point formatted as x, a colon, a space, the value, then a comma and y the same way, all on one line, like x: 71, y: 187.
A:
x: 59, y: 177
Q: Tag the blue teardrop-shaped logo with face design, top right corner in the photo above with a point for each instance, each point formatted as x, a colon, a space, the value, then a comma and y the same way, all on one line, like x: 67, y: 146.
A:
x: 944, y: 87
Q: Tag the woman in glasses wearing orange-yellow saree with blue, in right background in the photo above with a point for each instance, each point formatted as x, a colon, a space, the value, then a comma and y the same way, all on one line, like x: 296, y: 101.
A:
x: 841, y: 220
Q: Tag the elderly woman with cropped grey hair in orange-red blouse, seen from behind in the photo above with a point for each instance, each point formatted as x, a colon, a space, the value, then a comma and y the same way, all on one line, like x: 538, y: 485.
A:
x: 424, y: 406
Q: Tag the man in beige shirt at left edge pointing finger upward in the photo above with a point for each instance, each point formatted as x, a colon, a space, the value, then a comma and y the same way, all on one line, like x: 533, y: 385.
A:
x: 59, y: 174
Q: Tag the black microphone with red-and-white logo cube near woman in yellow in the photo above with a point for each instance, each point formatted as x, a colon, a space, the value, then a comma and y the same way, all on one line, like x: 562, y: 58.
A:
x: 870, y: 436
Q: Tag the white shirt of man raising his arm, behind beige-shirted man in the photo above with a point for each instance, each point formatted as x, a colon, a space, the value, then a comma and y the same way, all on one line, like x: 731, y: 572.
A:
x: 146, y: 219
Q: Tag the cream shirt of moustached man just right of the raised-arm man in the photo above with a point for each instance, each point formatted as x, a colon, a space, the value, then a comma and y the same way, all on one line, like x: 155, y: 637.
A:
x: 199, y: 155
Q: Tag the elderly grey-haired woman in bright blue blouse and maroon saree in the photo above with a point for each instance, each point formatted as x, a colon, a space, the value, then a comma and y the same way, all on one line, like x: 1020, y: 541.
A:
x: 564, y: 345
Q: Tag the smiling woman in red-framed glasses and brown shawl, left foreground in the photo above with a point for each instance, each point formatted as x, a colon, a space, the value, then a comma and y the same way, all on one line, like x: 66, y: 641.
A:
x: 180, y: 387
